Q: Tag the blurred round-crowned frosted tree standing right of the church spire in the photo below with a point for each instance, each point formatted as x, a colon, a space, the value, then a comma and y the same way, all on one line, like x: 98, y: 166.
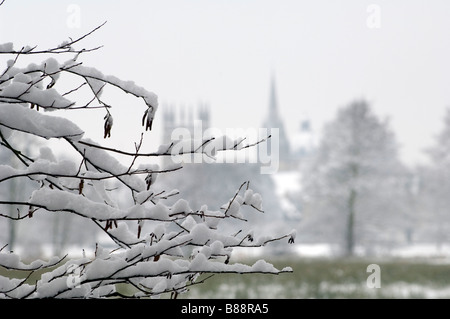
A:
x: 355, y: 165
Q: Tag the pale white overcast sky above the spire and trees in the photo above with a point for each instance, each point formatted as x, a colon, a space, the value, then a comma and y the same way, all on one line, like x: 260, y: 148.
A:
x: 223, y: 52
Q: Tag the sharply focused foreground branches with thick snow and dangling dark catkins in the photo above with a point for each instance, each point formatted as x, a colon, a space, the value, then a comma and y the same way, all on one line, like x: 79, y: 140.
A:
x: 157, y: 248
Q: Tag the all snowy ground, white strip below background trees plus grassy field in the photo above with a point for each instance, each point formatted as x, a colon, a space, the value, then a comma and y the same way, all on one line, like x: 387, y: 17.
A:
x: 344, y: 284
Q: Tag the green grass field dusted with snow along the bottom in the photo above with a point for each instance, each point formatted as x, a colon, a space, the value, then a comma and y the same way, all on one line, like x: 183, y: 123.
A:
x: 325, y: 278
